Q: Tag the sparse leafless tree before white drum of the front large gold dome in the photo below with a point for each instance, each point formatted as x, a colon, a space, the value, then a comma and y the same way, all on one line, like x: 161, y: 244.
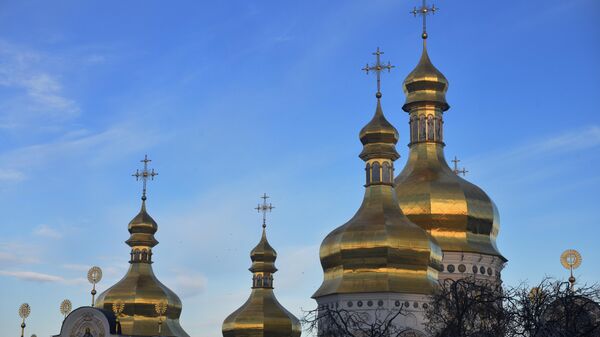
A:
x: 334, y: 322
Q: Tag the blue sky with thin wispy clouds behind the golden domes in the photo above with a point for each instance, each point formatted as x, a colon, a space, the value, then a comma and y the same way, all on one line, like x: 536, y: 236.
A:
x: 235, y: 98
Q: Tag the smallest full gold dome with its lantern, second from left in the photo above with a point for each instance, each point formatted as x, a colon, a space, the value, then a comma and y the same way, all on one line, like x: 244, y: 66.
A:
x: 262, y: 315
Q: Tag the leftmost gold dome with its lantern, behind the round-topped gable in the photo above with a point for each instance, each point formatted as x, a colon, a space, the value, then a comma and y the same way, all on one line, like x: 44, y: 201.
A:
x: 139, y: 290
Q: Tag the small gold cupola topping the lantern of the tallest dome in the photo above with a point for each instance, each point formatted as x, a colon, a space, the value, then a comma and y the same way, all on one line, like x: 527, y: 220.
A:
x: 425, y: 84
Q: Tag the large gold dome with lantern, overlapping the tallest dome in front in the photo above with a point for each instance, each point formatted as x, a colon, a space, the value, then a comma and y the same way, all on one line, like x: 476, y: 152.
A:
x: 379, y: 249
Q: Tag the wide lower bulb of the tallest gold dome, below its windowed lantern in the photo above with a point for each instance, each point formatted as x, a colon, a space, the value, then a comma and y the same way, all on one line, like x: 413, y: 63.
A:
x: 458, y: 214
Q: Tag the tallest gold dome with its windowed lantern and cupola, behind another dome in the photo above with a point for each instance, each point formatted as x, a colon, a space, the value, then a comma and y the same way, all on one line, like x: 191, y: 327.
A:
x: 458, y: 214
